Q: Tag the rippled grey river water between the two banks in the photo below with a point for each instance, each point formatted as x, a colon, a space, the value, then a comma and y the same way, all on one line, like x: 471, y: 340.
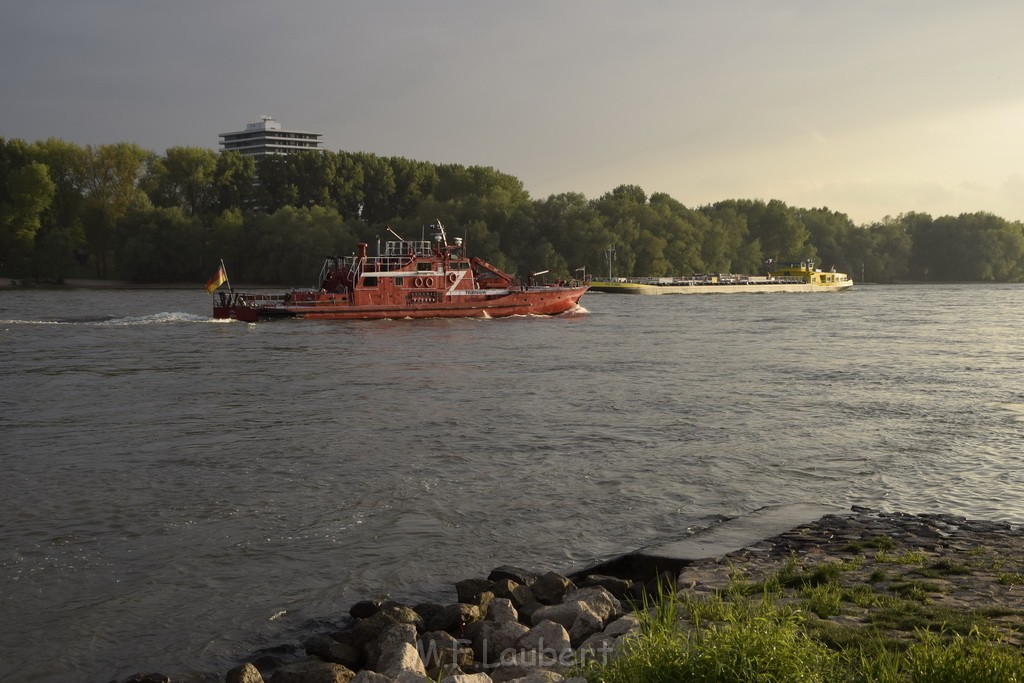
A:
x: 179, y: 492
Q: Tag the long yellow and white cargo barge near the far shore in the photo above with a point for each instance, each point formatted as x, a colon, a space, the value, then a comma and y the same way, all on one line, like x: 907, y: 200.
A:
x: 788, y: 277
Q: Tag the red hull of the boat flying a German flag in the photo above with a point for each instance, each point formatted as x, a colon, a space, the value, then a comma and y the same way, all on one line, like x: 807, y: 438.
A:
x: 533, y: 302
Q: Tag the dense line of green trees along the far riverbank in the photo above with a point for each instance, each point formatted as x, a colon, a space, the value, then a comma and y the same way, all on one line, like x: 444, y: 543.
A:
x: 118, y: 211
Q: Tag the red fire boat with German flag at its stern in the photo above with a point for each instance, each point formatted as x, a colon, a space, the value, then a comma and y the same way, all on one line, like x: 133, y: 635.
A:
x: 419, y: 279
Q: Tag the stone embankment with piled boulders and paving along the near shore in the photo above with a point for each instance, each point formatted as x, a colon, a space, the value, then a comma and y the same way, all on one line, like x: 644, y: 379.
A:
x: 517, y: 626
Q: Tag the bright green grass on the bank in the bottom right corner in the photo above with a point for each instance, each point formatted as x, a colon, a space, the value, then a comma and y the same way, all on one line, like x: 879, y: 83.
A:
x: 734, y: 636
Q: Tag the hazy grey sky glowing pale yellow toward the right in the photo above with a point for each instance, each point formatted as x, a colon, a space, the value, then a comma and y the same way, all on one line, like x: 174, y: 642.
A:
x: 868, y: 108
